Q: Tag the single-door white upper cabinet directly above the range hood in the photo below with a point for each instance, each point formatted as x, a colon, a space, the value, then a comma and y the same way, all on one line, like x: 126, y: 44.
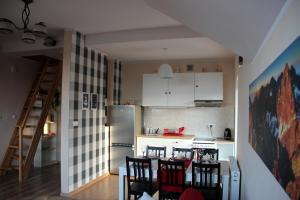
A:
x: 209, y: 86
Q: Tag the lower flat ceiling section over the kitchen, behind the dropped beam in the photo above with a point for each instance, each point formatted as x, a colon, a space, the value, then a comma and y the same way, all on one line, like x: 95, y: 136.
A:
x: 185, y: 48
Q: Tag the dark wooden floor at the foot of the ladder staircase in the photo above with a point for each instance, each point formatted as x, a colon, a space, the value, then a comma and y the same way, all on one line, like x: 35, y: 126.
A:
x: 42, y: 183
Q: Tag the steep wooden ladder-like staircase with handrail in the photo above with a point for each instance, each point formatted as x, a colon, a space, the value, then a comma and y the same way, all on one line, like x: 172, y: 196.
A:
x: 29, y: 129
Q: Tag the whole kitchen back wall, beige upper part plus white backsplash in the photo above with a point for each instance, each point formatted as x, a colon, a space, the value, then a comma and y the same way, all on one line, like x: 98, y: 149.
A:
x: 195, y: 120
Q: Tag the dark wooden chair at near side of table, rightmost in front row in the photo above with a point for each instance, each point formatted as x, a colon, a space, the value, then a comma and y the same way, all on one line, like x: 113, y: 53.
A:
x: 206, y: 177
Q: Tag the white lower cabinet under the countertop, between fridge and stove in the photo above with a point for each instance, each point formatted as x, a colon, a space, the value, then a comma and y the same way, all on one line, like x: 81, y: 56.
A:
x: 142, y: 143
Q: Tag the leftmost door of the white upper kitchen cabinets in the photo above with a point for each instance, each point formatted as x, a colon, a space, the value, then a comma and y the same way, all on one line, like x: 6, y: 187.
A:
x: 155, y: 90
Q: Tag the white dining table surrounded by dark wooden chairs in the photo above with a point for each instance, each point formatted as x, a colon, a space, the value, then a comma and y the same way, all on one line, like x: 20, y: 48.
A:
x: 224, y: 171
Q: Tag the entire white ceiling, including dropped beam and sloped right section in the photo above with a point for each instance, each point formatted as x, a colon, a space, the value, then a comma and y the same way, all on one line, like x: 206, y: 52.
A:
x: 239, y: 25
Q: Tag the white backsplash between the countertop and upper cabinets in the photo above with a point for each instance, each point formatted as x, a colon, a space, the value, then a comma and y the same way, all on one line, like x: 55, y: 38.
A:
x: 195, y: 120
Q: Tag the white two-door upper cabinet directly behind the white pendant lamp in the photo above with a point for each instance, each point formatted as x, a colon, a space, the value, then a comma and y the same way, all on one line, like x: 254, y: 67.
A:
x: 178, y: 91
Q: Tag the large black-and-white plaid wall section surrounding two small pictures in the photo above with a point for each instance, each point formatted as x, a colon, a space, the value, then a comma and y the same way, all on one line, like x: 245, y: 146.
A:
x: 88, y: 74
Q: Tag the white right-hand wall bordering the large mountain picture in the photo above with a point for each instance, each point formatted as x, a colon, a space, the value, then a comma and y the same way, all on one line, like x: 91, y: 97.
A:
x: 257, y: 181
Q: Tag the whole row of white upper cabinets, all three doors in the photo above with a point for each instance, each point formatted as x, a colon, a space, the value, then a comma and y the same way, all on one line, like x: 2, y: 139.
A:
x: 182, y: 89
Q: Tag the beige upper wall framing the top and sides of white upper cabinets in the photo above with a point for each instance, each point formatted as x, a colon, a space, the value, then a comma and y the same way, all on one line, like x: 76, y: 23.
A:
x: 132, y: 77
